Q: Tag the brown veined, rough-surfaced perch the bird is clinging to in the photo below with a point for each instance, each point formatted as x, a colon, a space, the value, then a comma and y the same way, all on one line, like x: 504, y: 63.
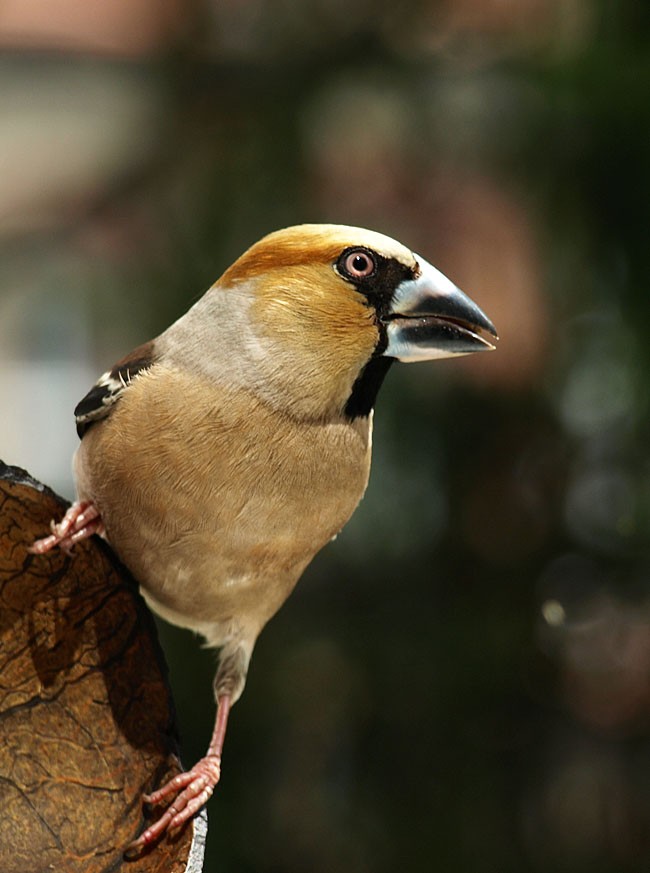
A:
x: 86, y: 718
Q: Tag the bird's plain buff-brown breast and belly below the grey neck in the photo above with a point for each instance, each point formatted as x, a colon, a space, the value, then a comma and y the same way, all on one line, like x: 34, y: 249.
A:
x: 219, y: 511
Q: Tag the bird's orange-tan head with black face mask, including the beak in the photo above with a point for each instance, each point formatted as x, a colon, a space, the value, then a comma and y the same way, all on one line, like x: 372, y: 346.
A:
x: 328, y: 308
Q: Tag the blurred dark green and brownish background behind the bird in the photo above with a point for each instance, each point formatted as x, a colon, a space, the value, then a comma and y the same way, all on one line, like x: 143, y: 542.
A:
x: 461, y: 682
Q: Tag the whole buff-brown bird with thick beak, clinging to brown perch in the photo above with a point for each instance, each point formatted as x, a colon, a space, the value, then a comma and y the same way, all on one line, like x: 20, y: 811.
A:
x: 219, y: 458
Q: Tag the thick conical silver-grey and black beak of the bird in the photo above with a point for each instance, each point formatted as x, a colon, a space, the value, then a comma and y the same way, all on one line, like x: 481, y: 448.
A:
x: 429, y: 317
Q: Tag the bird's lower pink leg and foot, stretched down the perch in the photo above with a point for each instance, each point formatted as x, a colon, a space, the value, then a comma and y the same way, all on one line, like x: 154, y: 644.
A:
x: 193, y: 788
